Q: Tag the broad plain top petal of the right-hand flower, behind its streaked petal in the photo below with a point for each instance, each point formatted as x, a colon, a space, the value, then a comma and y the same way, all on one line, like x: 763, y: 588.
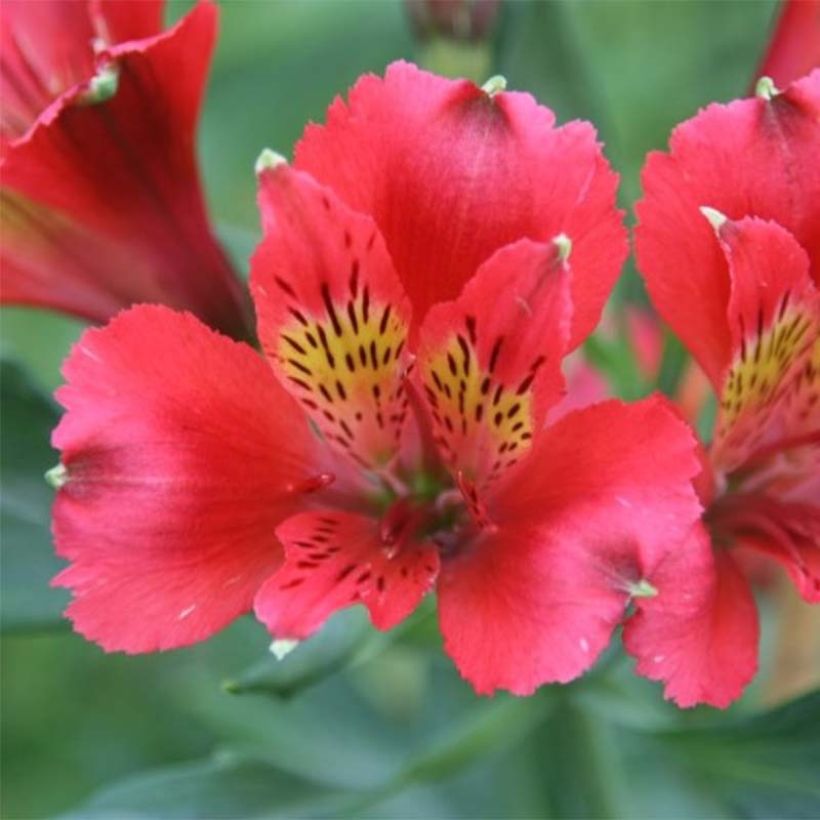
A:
x: 753, y: 157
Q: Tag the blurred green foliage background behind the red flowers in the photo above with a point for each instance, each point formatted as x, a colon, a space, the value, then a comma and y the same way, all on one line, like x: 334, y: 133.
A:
x: 355, y: 724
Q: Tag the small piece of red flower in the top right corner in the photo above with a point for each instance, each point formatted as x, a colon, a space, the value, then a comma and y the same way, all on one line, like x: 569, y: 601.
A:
x: 794, y: 49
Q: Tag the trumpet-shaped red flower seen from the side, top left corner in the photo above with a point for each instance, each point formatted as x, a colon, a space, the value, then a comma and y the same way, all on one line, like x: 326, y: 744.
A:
x: 101, y: 199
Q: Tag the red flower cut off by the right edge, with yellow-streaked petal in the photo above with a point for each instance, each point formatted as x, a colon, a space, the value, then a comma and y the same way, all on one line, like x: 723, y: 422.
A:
x: 729, y: 244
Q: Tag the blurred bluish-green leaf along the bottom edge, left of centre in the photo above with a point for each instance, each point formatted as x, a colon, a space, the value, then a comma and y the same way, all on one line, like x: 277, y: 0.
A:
x: 226, y: 785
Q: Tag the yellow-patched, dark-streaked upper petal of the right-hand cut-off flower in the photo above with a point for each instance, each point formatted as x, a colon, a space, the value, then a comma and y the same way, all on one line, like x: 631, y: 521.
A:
x: 774, y: 321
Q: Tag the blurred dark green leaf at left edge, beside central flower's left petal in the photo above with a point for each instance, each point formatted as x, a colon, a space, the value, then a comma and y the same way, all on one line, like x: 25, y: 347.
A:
x: 28, y: 560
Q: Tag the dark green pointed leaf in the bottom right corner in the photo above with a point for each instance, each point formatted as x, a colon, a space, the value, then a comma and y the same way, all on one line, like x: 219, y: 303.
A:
x: 760, y: 765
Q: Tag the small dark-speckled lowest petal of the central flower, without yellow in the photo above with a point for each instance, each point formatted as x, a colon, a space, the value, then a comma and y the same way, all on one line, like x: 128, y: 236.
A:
x: 335, y: 559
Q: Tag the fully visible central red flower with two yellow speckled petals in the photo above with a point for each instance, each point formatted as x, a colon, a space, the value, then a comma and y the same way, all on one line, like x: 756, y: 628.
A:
x: 414, y: 307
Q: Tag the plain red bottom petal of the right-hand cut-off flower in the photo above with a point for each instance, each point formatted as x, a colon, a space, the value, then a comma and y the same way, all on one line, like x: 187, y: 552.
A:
x: 699, y: 634
